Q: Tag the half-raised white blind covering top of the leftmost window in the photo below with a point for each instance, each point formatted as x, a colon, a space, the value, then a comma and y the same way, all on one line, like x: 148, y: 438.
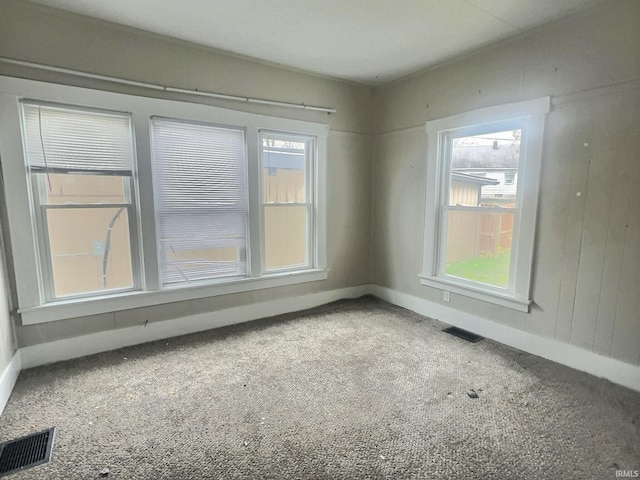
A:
x: 59, y: 140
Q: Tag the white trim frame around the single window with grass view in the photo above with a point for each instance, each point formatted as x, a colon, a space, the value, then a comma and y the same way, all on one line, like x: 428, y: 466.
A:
x: 534, y: 112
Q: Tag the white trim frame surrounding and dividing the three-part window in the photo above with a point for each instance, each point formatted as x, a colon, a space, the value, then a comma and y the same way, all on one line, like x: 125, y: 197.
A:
x: 32, y: 305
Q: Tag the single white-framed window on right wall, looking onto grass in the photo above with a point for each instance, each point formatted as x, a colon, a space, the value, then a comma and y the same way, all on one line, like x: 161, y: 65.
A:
x: 479, y: 224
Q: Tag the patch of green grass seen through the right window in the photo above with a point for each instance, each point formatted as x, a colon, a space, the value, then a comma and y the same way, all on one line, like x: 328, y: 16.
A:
x: 489, y: 269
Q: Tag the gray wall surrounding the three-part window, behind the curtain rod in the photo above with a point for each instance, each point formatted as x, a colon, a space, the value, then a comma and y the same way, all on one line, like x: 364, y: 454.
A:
x: 39, y: 34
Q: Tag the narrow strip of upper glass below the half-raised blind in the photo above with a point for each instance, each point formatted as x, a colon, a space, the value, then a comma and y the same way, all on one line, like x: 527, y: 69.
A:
x: 82, y: 189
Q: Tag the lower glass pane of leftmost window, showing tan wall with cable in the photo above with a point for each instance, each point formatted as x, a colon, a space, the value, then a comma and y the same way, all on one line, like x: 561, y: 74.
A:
x: 90, y: 249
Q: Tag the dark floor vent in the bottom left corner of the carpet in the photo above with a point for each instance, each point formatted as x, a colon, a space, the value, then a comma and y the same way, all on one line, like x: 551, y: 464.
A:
x: 26, y: 452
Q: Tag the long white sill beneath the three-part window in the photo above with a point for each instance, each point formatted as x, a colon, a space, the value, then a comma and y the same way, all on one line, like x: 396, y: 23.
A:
x: 63, y: 309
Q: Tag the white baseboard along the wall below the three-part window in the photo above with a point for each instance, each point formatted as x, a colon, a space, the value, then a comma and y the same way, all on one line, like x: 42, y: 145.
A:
x: 75, y: 347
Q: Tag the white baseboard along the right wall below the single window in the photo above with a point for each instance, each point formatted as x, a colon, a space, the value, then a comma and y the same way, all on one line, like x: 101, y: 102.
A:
x: 622, y: 373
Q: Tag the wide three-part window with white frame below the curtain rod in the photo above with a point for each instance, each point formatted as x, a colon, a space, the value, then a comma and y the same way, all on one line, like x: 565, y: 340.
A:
x: 118, y: 202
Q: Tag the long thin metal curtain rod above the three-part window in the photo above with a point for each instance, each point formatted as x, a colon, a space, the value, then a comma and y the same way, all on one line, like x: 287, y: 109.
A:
x: 200, y: 93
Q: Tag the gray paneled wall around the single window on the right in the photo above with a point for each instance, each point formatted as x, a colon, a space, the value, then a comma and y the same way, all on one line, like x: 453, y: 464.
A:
x: 587, y: 261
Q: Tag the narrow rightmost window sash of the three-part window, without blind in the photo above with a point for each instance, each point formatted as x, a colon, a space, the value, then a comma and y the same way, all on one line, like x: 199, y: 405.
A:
x: 286, y: 201
